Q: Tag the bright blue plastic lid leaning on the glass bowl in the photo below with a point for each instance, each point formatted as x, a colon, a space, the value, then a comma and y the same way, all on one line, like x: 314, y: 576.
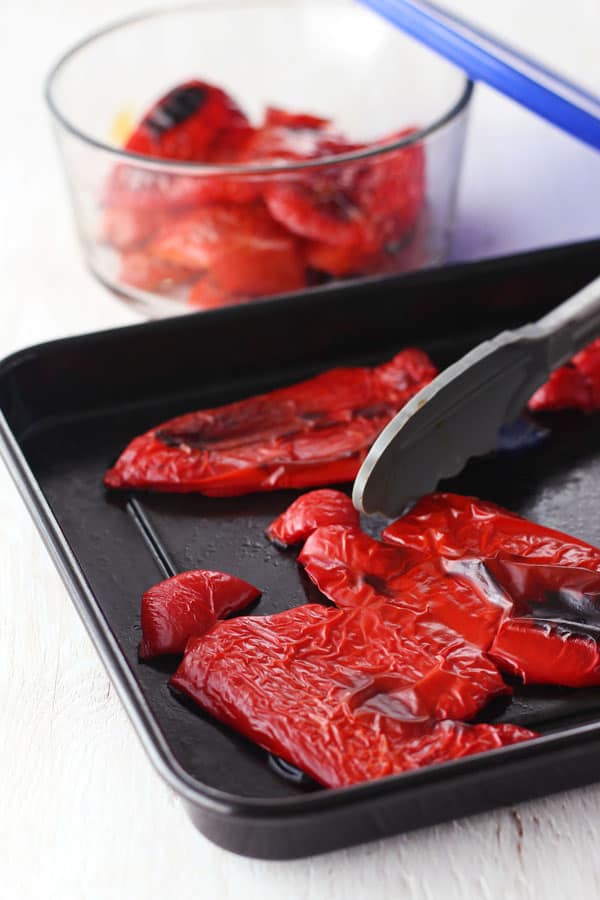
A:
x: 486, y: 59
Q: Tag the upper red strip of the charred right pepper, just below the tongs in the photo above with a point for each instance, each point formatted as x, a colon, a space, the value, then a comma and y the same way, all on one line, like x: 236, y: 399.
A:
x: 453, y: 526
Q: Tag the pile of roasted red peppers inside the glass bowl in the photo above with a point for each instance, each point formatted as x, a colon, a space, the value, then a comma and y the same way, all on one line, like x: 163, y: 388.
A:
x: 363, y: 216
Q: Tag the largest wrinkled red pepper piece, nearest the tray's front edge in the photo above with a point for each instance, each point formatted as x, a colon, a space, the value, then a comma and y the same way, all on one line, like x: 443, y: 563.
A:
x: 337, y: 693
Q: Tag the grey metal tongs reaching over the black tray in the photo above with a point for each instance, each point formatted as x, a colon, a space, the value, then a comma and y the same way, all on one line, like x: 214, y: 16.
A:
x: 459, y: 414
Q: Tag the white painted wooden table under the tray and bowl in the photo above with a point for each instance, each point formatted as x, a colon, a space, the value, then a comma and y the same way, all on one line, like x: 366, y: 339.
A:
x: 83, y: 816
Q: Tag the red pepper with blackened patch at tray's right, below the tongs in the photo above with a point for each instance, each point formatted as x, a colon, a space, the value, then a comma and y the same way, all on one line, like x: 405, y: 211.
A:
x: 551, y: 633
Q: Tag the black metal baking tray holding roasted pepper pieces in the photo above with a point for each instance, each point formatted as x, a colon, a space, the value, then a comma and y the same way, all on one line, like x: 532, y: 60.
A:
x: 68, y: 407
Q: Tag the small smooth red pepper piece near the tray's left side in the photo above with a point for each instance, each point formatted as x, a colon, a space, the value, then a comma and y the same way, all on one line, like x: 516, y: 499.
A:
x: 186, y: 606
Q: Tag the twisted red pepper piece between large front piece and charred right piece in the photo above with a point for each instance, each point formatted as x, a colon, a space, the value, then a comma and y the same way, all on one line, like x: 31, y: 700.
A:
x: 352, y: 569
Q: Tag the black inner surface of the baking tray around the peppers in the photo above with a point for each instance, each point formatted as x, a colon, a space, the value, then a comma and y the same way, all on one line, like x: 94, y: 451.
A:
x: 100, y: 391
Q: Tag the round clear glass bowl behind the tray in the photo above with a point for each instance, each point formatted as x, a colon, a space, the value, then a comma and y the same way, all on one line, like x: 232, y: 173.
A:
x: 182, y: 236
